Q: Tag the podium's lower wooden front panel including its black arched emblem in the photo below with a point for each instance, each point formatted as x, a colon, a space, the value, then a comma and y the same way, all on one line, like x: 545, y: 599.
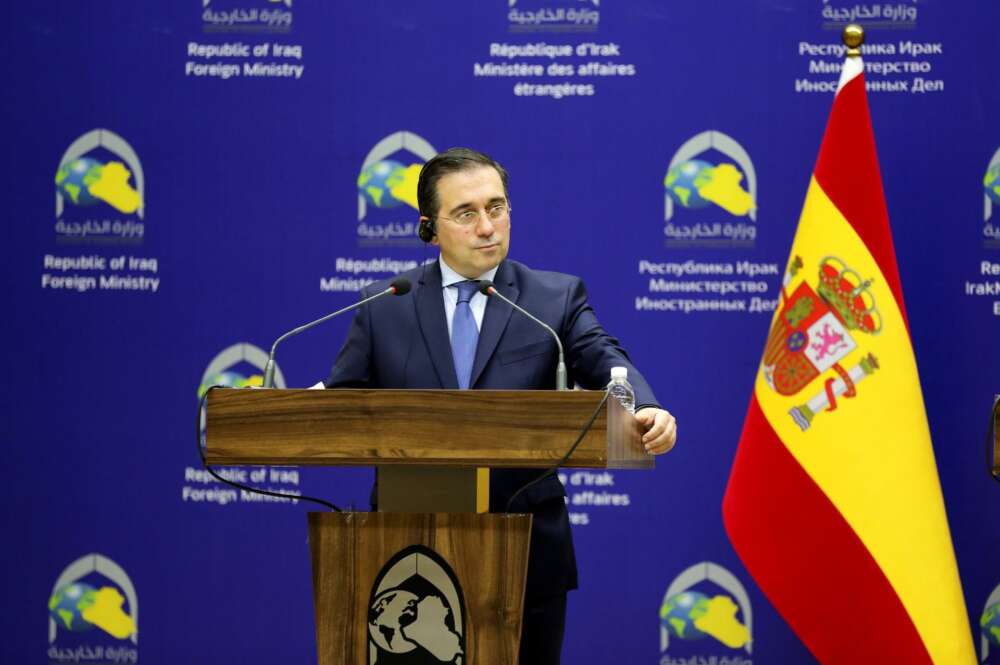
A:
x: 441, y: 583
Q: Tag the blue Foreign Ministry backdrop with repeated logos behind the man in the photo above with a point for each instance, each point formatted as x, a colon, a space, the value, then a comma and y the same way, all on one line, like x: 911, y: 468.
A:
x: 183, y: 186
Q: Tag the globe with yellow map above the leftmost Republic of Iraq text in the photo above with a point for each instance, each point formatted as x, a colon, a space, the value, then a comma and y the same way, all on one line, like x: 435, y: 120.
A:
x: 86, y: 182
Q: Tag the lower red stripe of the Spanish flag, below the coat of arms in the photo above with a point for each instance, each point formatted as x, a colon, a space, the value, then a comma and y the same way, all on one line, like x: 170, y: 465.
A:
x: 808, y: 561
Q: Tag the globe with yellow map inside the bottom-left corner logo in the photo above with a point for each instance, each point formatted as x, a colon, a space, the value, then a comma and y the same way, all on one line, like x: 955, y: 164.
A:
x: 79, y: 607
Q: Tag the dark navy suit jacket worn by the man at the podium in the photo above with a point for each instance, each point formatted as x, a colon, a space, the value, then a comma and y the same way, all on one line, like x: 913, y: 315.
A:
x: 402, y: 342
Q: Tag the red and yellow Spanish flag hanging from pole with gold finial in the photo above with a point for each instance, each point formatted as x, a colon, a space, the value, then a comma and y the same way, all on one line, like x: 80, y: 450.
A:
x: 833, y: 502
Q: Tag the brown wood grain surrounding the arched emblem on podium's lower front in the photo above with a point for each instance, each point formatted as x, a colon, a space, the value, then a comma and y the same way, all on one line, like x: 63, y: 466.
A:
x: 487, y: 552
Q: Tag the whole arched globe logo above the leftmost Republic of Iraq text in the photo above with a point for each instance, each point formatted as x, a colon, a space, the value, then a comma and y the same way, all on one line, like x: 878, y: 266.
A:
x: 100, y: 192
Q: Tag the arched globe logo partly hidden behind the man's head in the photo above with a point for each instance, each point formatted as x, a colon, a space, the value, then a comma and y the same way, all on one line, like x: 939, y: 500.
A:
x: 387, y: 190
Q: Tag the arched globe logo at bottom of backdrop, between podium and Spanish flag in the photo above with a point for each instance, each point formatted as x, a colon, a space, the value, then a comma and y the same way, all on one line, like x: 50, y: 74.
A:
x: 705, y: 614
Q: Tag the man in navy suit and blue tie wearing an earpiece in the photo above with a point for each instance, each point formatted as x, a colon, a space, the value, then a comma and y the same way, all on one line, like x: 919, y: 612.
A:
x: 445, y: 334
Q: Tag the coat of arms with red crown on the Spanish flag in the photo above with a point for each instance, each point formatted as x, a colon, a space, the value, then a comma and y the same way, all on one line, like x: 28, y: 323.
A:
x: 815, y: 330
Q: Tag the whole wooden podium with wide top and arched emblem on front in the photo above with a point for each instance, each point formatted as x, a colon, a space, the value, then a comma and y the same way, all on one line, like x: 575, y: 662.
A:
x: 432, y: 571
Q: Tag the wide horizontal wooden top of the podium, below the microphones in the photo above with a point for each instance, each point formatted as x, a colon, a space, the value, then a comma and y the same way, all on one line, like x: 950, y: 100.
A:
x: 495, y: 428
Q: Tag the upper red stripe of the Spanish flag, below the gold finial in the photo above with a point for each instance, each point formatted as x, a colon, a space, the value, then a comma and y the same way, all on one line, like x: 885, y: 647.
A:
x: 847, y: 170
